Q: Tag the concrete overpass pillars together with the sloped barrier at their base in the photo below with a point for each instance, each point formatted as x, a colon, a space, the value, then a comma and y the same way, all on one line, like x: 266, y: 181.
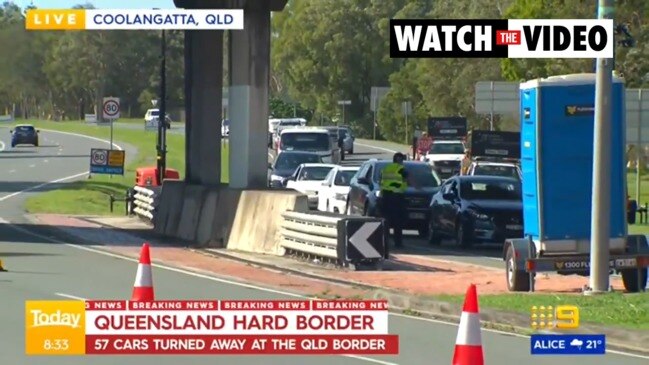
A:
x: 243, y: 215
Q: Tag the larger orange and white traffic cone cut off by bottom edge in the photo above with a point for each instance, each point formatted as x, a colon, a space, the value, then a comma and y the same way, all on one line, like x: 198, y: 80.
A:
x: 468, y: 344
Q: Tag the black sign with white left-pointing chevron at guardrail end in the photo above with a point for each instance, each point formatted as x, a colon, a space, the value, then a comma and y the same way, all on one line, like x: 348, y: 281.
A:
x: 364, y: 239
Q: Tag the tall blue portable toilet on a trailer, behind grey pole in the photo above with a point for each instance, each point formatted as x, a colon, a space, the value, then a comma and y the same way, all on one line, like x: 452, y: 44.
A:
x: 557, y: 128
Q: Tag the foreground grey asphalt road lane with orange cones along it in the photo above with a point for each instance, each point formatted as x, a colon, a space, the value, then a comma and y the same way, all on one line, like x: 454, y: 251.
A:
x: 46, y: 270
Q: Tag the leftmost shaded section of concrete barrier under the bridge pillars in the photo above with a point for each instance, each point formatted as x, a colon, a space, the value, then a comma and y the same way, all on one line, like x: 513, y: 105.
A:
x: 168, y: 212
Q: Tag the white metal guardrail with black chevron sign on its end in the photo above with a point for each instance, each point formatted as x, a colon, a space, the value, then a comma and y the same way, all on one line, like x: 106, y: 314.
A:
x: 343, y: 240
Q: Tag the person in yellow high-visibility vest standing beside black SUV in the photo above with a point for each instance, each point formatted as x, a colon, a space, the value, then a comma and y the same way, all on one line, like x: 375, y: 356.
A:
x: 393, y: 181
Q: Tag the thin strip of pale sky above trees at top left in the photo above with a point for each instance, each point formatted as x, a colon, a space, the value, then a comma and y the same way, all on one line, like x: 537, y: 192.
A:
x: 100, y: 4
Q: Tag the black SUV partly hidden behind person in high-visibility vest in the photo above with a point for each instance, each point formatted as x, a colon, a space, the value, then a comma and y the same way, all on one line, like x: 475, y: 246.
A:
x: 365, y: 192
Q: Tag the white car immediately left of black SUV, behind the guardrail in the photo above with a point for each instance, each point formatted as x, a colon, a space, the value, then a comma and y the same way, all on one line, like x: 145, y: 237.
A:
x: 332, y: 195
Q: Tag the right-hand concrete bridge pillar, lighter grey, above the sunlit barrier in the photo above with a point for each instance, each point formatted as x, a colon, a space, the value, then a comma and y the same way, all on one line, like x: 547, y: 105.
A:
x: 249, y: 70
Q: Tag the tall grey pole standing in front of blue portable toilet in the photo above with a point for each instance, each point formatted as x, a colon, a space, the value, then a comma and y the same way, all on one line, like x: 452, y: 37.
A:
x: 601, y: 199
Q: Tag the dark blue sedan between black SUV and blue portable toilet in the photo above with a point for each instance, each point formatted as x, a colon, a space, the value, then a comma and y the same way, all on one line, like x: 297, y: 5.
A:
x: 474, y: 209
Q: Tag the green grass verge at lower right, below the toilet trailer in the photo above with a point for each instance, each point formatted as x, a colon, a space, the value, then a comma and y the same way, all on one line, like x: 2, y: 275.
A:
x: 630, y: 311
